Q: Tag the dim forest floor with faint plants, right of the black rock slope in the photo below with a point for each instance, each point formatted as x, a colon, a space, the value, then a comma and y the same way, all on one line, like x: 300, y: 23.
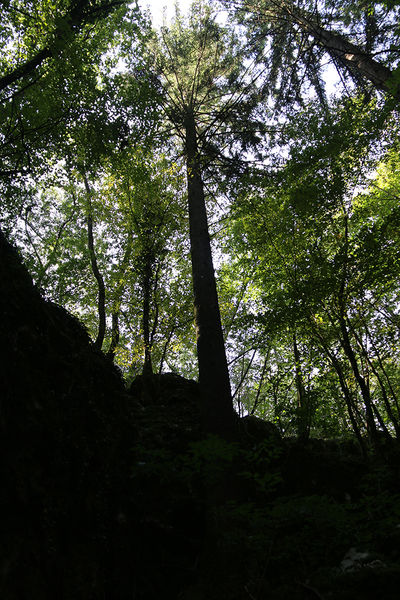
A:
x: 295, y: 520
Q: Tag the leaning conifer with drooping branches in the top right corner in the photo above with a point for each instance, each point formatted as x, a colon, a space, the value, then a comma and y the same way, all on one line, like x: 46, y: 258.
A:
x: 295, y: 40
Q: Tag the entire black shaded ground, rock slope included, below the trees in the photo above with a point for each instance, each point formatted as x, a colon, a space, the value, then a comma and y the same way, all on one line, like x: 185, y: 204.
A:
x: 107, y: 496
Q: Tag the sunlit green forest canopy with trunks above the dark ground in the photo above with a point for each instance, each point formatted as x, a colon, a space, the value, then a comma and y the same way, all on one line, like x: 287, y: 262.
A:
x: 244, y: 159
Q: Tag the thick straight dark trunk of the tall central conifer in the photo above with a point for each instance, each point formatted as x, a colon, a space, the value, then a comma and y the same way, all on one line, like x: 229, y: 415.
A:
x: 214, y: 382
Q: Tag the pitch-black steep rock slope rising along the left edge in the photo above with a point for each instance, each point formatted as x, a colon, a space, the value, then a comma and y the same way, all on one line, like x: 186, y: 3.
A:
x: 64, y: 426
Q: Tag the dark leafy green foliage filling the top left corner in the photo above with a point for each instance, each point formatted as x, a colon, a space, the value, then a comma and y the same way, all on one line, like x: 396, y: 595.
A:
x: 50, y: 48
